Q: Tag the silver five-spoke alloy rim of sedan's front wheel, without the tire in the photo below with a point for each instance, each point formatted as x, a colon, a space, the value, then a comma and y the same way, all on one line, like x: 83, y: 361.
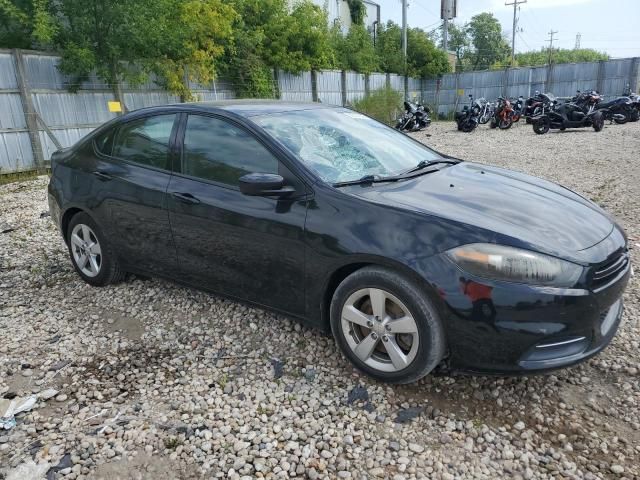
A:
x: 380, y: 329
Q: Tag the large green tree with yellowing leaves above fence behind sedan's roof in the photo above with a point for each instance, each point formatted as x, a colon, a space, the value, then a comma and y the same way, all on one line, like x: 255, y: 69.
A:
x: 129, y: 39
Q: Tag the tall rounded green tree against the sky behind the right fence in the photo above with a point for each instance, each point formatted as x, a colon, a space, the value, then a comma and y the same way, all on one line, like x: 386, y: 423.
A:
x: 489, y: 46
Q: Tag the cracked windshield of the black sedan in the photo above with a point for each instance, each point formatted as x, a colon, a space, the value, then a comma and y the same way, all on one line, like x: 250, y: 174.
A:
x: 342, y: 145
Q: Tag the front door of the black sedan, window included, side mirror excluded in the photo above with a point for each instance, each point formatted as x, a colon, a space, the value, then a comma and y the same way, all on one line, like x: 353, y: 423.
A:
x: 248, y: 247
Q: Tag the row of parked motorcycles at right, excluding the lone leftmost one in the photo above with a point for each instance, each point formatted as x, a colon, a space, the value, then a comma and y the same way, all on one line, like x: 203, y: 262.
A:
x: 546, y: 112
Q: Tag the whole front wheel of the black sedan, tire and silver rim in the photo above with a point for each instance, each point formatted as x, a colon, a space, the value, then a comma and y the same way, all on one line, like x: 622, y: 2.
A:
x: 387, y: 326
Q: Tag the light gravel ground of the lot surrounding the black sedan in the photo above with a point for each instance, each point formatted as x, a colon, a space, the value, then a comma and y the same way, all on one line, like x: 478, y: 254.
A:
x: 159, y: 381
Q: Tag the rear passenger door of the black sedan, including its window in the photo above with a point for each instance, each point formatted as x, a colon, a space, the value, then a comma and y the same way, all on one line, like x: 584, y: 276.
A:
x: 131, y: 177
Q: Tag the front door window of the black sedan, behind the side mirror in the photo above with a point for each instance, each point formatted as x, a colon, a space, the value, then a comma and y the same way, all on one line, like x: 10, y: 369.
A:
x: 216, y: 150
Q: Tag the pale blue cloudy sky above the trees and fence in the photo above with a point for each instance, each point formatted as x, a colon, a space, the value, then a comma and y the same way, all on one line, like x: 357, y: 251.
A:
x: 612, y: 26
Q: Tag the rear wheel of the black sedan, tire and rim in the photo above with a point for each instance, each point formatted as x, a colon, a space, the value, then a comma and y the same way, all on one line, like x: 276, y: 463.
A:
x: 91, y: 253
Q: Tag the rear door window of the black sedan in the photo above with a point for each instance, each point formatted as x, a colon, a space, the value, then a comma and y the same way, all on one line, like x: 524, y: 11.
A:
x: 145, y: 141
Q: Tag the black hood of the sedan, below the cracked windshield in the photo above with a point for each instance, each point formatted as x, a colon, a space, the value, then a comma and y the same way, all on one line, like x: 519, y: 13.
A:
x: 532, y: 210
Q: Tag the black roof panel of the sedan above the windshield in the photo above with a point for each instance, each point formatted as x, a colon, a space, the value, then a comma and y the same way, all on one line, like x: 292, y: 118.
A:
x: 250, y: 108
